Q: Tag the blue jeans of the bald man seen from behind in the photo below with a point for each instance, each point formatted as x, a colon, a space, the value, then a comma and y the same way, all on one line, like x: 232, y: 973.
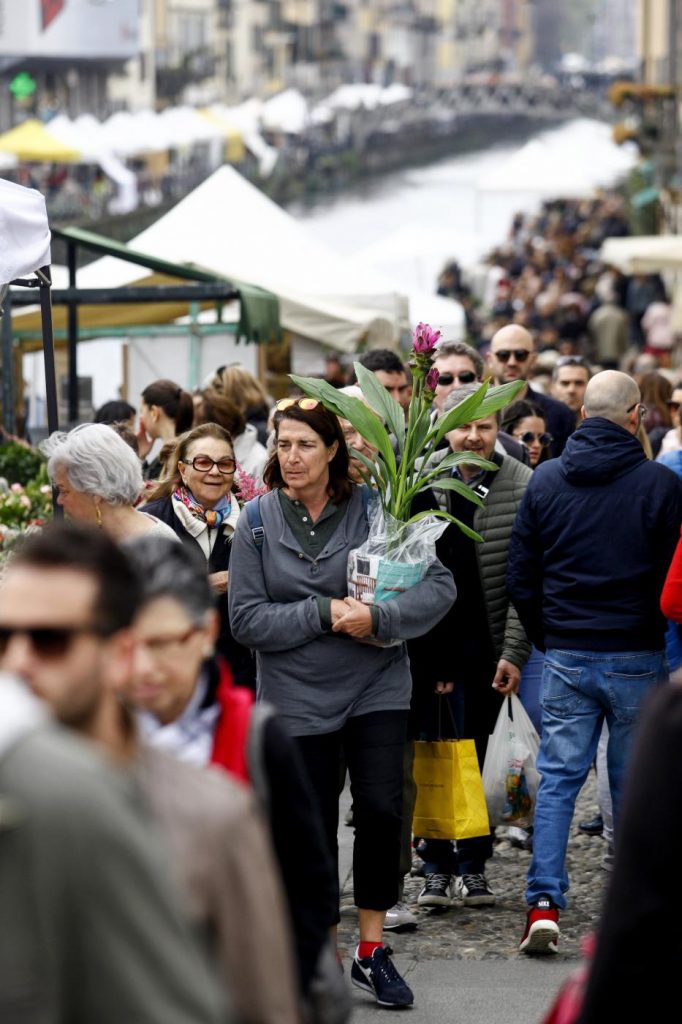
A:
x: 580, y: 691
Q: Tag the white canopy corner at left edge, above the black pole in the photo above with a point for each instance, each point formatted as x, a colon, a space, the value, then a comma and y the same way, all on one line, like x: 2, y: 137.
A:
x: 25, y: 235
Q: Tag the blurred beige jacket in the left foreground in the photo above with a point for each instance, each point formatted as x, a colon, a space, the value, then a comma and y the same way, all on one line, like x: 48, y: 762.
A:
x: 224, y: 862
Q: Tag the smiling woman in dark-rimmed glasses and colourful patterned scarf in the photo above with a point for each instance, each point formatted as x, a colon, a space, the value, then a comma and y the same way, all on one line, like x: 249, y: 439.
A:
x: 195, y: 500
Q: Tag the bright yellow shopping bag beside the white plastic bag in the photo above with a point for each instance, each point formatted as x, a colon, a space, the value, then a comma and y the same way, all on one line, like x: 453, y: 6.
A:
x: 450, y: 803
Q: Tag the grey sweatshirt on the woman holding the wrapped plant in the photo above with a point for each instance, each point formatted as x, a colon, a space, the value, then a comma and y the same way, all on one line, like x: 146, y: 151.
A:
x: 316, y: 678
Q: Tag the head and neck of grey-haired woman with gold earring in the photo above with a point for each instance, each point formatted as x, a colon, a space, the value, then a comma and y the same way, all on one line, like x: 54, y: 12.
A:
x: 99, y: 480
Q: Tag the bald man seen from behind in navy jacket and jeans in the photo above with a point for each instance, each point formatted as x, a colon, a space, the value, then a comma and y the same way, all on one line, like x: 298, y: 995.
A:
x: 589, y: 553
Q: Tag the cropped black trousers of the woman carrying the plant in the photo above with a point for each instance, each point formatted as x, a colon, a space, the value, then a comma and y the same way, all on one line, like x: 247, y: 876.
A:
x: 373, y: 748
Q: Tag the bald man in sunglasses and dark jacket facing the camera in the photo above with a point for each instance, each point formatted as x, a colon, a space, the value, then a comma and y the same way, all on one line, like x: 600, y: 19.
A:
x: 511, y: 357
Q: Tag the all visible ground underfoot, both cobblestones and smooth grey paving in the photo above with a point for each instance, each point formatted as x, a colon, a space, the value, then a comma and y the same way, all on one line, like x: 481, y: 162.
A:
x: 451, y: 952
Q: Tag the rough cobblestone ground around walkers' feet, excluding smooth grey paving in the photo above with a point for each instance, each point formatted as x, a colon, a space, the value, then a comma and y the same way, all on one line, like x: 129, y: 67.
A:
x: 494, y: 933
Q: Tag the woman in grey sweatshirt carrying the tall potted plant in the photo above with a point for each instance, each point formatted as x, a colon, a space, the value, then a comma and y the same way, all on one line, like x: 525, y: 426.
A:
x: 336, y: 693
